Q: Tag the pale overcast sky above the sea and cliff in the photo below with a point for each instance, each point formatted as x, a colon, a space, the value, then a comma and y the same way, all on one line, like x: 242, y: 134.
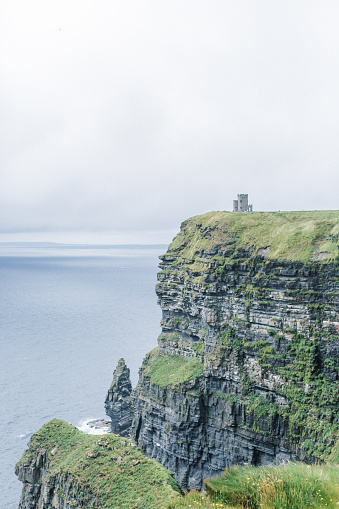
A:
x: 120, y: 119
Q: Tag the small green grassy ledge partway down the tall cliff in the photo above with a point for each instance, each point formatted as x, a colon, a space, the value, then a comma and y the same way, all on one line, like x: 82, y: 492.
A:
x: 171, y: 370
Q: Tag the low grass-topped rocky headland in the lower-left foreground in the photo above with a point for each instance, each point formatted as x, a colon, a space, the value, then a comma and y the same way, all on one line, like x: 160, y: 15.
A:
x: 64, y: 468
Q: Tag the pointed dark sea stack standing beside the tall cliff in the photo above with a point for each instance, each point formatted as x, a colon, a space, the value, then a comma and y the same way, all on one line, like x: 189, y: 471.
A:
x: 118, y: 400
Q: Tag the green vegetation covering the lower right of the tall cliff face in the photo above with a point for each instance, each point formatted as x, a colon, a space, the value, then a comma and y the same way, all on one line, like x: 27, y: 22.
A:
x: 312, y: 414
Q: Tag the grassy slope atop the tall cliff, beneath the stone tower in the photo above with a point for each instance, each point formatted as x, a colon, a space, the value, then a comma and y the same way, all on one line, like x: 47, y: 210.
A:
x: 293, y: 236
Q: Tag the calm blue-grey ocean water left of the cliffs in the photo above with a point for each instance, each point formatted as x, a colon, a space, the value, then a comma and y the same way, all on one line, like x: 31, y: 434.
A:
x: 67, y: 314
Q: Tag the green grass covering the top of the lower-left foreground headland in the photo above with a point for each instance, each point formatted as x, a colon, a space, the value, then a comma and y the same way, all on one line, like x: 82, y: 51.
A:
x: 119, y: 475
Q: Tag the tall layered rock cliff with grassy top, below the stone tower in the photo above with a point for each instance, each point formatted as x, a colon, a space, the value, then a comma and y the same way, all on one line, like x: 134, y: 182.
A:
x: 246, y: 369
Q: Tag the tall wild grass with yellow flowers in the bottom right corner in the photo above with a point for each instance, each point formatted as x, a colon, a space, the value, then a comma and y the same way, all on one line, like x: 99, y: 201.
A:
x: 293, y: 486
